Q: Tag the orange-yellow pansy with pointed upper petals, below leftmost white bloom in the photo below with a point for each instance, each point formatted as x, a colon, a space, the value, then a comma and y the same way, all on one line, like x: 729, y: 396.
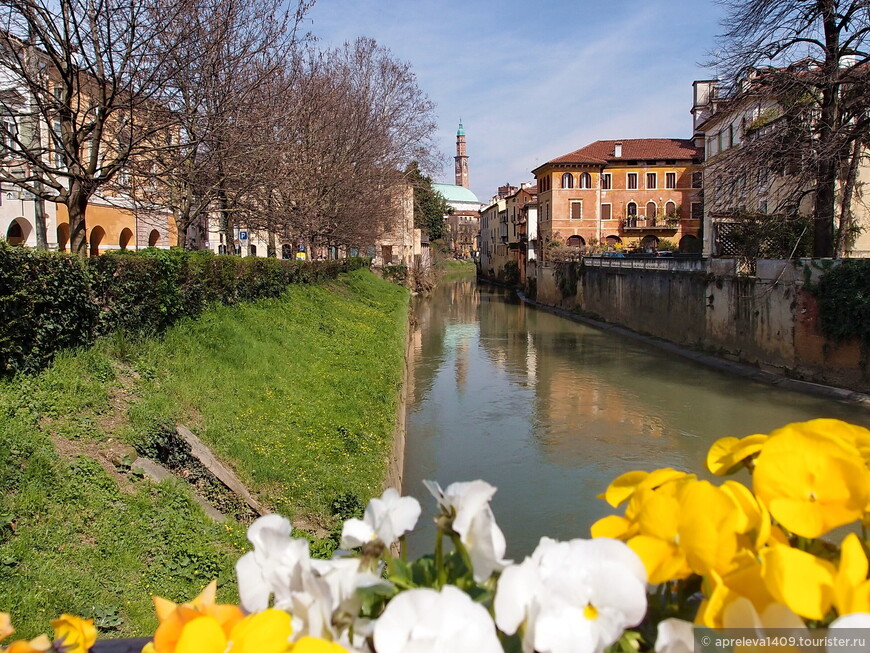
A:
x: 178, y: 626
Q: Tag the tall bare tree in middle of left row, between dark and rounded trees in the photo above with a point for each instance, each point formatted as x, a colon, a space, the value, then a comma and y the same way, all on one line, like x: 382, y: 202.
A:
x: 230, y: 68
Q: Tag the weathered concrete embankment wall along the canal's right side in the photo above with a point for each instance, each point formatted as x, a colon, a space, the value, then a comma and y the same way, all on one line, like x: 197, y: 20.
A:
x: 768, y: 320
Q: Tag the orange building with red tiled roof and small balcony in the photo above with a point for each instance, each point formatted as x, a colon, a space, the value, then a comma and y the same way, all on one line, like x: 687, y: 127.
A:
x: 621, y: 193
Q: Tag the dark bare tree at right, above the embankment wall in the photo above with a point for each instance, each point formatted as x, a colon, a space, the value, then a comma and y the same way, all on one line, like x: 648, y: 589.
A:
x: 808, y: 60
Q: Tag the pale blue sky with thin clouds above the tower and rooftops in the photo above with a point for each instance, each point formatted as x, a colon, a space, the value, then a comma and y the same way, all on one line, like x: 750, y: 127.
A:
x: 535, y: 80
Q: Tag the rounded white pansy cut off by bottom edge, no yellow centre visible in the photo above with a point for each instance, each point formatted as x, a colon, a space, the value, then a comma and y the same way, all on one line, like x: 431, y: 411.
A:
x: 428, y: 621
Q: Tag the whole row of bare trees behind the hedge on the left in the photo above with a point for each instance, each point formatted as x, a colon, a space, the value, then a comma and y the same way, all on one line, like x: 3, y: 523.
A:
x: 206, y: 106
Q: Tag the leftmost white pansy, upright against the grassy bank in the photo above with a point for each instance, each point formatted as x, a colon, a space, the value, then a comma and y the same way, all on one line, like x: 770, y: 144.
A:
x: 275, y: 565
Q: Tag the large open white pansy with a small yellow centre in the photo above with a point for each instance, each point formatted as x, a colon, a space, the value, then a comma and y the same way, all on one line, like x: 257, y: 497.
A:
x: 573, y: 596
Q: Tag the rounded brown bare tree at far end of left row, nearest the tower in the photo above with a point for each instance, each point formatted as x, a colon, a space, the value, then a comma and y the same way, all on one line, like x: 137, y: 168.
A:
x: 358, y: 119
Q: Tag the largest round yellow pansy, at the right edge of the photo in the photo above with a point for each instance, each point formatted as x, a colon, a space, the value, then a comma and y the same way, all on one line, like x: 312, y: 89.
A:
x: 811, y: 480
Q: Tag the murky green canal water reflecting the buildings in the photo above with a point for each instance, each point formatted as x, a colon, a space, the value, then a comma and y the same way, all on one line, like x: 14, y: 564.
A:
x: 550, y: 411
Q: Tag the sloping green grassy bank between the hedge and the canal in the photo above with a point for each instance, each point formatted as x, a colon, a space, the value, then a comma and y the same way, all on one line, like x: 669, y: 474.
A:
x: 297, y: 394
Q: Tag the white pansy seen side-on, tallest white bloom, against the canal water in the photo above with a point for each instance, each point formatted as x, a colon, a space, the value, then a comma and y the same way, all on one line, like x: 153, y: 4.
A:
x: 467, y: 505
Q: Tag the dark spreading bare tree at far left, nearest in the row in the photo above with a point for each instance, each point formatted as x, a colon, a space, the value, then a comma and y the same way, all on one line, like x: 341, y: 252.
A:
x: 84, y: 88
